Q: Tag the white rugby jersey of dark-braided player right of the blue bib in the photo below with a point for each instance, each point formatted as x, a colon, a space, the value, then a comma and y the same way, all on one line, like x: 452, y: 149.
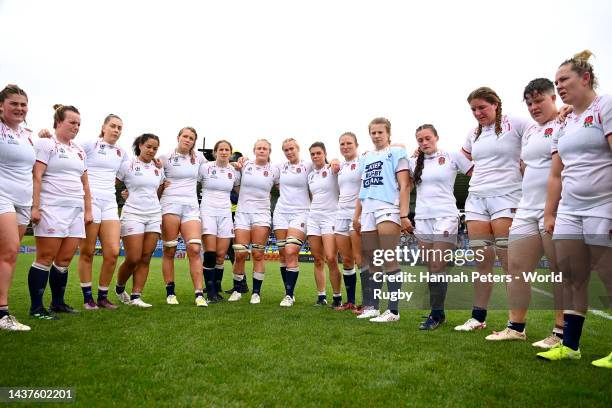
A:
x: 435, y: 193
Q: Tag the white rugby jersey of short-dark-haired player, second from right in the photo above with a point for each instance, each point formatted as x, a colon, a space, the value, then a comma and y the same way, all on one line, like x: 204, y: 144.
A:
x: 535, y: 153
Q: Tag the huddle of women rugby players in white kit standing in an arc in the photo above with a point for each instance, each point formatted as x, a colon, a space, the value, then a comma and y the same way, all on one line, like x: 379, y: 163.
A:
x: 538, y: 187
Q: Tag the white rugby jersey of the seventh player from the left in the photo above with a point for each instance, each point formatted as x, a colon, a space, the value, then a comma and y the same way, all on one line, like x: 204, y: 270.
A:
x: 255, y: 185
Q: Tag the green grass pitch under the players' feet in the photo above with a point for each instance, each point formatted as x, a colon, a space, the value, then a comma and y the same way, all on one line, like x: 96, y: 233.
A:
x: 239, y: 355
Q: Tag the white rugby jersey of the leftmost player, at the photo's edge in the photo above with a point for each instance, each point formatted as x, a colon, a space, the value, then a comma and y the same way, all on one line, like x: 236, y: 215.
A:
x: 17, y: 157
